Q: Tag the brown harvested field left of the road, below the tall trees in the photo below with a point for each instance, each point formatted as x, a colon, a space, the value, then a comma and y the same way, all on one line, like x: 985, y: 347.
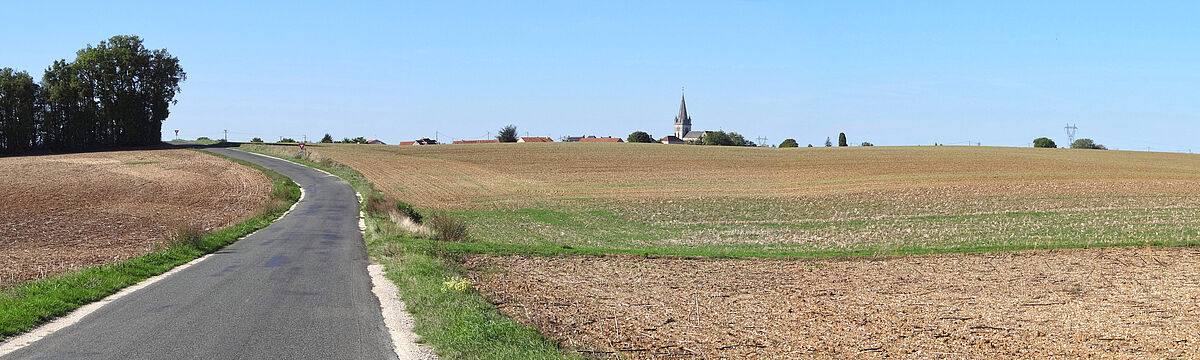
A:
x: 70, y: 212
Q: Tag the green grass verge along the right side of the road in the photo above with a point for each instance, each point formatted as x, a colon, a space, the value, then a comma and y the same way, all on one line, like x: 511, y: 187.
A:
x: 458, y: 322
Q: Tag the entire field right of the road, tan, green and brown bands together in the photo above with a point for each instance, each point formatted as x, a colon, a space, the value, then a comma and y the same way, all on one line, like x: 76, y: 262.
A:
x: 686, y: 208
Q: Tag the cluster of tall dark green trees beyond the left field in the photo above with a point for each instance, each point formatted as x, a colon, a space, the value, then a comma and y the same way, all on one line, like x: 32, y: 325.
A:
x: 116, y: 94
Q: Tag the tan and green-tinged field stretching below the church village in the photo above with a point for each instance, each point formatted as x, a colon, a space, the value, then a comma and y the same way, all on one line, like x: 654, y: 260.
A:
x: 825, y: 200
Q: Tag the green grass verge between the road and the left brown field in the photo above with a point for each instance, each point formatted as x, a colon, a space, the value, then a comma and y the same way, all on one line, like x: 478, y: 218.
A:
x: 27, y: 307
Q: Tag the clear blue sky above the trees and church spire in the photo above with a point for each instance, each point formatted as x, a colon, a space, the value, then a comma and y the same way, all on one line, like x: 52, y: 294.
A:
x: 889, y: 73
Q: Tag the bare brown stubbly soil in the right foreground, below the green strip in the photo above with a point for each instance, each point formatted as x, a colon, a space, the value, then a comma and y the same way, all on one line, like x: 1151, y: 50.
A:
x: 1107, y: 303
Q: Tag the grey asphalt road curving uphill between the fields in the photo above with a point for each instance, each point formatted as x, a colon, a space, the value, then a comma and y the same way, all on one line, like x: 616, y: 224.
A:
x: 297, y: 290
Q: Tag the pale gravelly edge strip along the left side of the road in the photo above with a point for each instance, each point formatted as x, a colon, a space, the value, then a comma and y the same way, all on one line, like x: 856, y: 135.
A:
x: 21, y: 341
